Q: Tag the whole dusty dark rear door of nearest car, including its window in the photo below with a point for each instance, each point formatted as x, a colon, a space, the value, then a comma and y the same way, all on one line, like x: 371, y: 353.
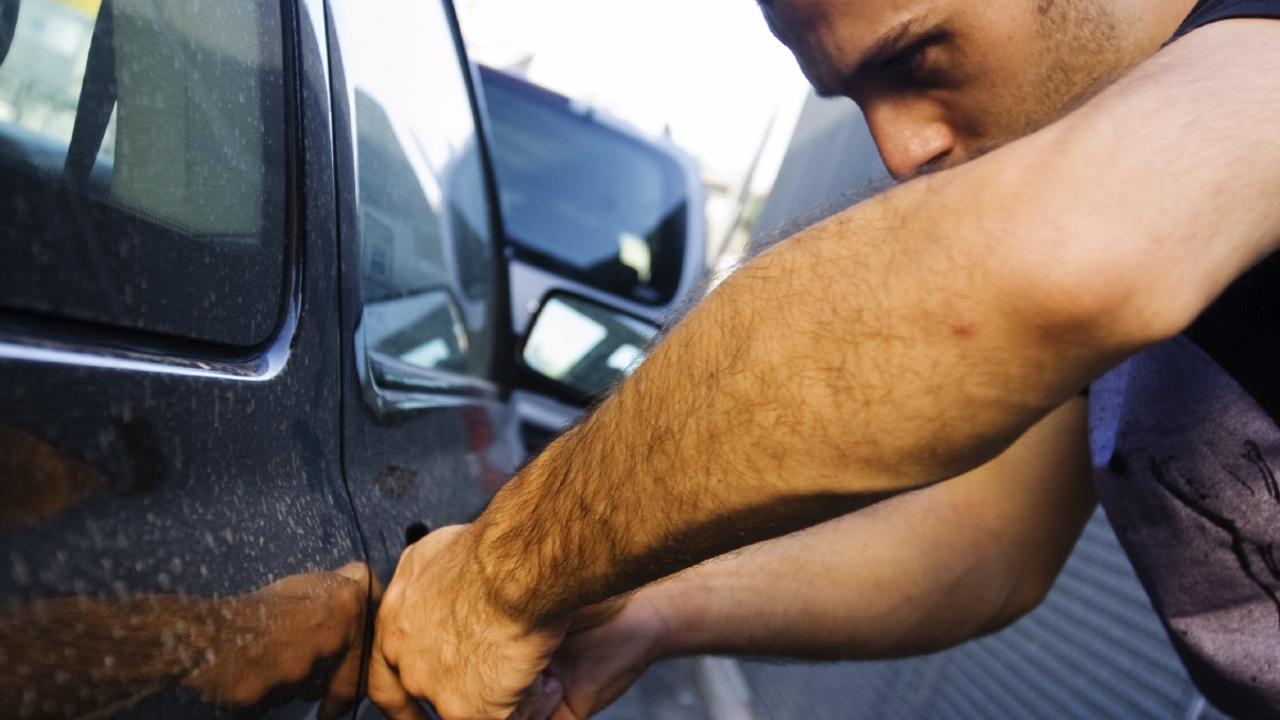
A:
x: 176, y: 537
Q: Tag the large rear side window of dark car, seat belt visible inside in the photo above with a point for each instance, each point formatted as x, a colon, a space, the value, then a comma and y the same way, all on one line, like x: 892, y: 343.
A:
x: 143, y: 179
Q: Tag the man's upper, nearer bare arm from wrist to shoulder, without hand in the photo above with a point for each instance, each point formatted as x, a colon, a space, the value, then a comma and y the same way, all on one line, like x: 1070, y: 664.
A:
x: 913, y: 338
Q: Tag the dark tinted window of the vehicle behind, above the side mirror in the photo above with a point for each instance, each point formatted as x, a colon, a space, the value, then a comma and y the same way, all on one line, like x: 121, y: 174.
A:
x: 592, y: 202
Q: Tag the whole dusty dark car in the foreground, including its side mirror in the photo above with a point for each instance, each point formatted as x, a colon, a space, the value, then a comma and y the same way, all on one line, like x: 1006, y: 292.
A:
x: 258, y: 334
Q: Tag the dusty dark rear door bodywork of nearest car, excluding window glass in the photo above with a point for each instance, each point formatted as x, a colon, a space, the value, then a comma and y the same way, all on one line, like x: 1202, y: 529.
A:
x: 177, y: 508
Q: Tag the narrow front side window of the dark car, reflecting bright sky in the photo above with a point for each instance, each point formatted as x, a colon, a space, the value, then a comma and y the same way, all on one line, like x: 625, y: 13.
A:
x: 426, y: 222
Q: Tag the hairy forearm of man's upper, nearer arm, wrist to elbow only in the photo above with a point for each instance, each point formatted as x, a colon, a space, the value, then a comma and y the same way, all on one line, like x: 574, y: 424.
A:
x: 854, y: 362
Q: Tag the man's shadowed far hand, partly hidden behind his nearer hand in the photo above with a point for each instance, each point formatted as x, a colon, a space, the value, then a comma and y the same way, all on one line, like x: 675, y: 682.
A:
x: 607, y: 649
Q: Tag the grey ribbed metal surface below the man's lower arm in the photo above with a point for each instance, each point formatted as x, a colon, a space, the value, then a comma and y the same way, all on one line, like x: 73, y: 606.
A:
x: 1094, y: 649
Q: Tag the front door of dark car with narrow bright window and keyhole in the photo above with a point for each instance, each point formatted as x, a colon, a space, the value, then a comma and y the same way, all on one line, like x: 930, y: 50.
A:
x: 428, y: 431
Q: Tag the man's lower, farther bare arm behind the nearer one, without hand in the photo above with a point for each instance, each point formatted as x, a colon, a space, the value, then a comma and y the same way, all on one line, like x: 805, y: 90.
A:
x: 916, y: 575
